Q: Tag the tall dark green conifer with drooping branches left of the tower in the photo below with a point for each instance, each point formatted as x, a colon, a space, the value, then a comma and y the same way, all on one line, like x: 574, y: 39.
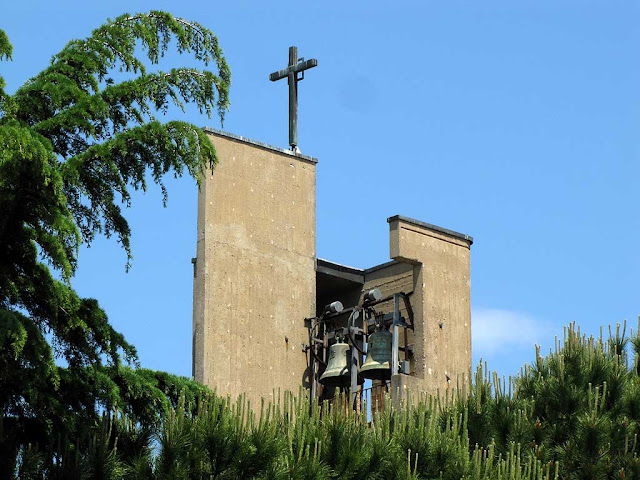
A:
x: 73, y: 145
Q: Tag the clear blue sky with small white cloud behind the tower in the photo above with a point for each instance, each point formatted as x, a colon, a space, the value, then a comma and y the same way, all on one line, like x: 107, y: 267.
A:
x: 514, y: 122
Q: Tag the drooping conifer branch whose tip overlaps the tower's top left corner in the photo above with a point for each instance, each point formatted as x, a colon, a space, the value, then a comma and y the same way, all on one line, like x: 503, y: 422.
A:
x: 112, y: 167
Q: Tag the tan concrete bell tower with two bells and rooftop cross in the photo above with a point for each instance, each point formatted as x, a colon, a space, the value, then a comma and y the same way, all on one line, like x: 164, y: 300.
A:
x: 269, y: 315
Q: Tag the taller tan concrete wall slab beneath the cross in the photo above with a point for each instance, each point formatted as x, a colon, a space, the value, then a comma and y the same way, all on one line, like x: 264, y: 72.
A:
x: 254, y: 279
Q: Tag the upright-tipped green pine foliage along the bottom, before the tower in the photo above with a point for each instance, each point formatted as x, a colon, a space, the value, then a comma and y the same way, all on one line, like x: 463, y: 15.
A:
x: 530, y: 432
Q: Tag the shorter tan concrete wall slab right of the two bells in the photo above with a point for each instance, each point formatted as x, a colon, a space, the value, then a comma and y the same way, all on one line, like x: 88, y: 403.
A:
x: 441, y: 301
